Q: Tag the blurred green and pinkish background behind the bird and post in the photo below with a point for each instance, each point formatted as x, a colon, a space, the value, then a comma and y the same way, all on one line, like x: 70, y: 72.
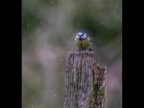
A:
x: 48, y: 31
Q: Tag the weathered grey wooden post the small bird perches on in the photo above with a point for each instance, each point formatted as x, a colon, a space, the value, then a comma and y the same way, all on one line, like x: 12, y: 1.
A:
x: 85, y: 83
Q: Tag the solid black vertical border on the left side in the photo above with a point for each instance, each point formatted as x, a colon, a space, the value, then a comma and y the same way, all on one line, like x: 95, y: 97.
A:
x: 11, y: 54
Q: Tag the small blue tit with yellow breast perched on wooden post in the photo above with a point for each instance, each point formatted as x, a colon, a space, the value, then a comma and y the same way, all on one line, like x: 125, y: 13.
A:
x: 82, y: 40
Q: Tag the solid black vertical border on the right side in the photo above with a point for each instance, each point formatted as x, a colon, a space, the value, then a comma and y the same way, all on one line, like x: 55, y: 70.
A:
x: 132, y: 54
